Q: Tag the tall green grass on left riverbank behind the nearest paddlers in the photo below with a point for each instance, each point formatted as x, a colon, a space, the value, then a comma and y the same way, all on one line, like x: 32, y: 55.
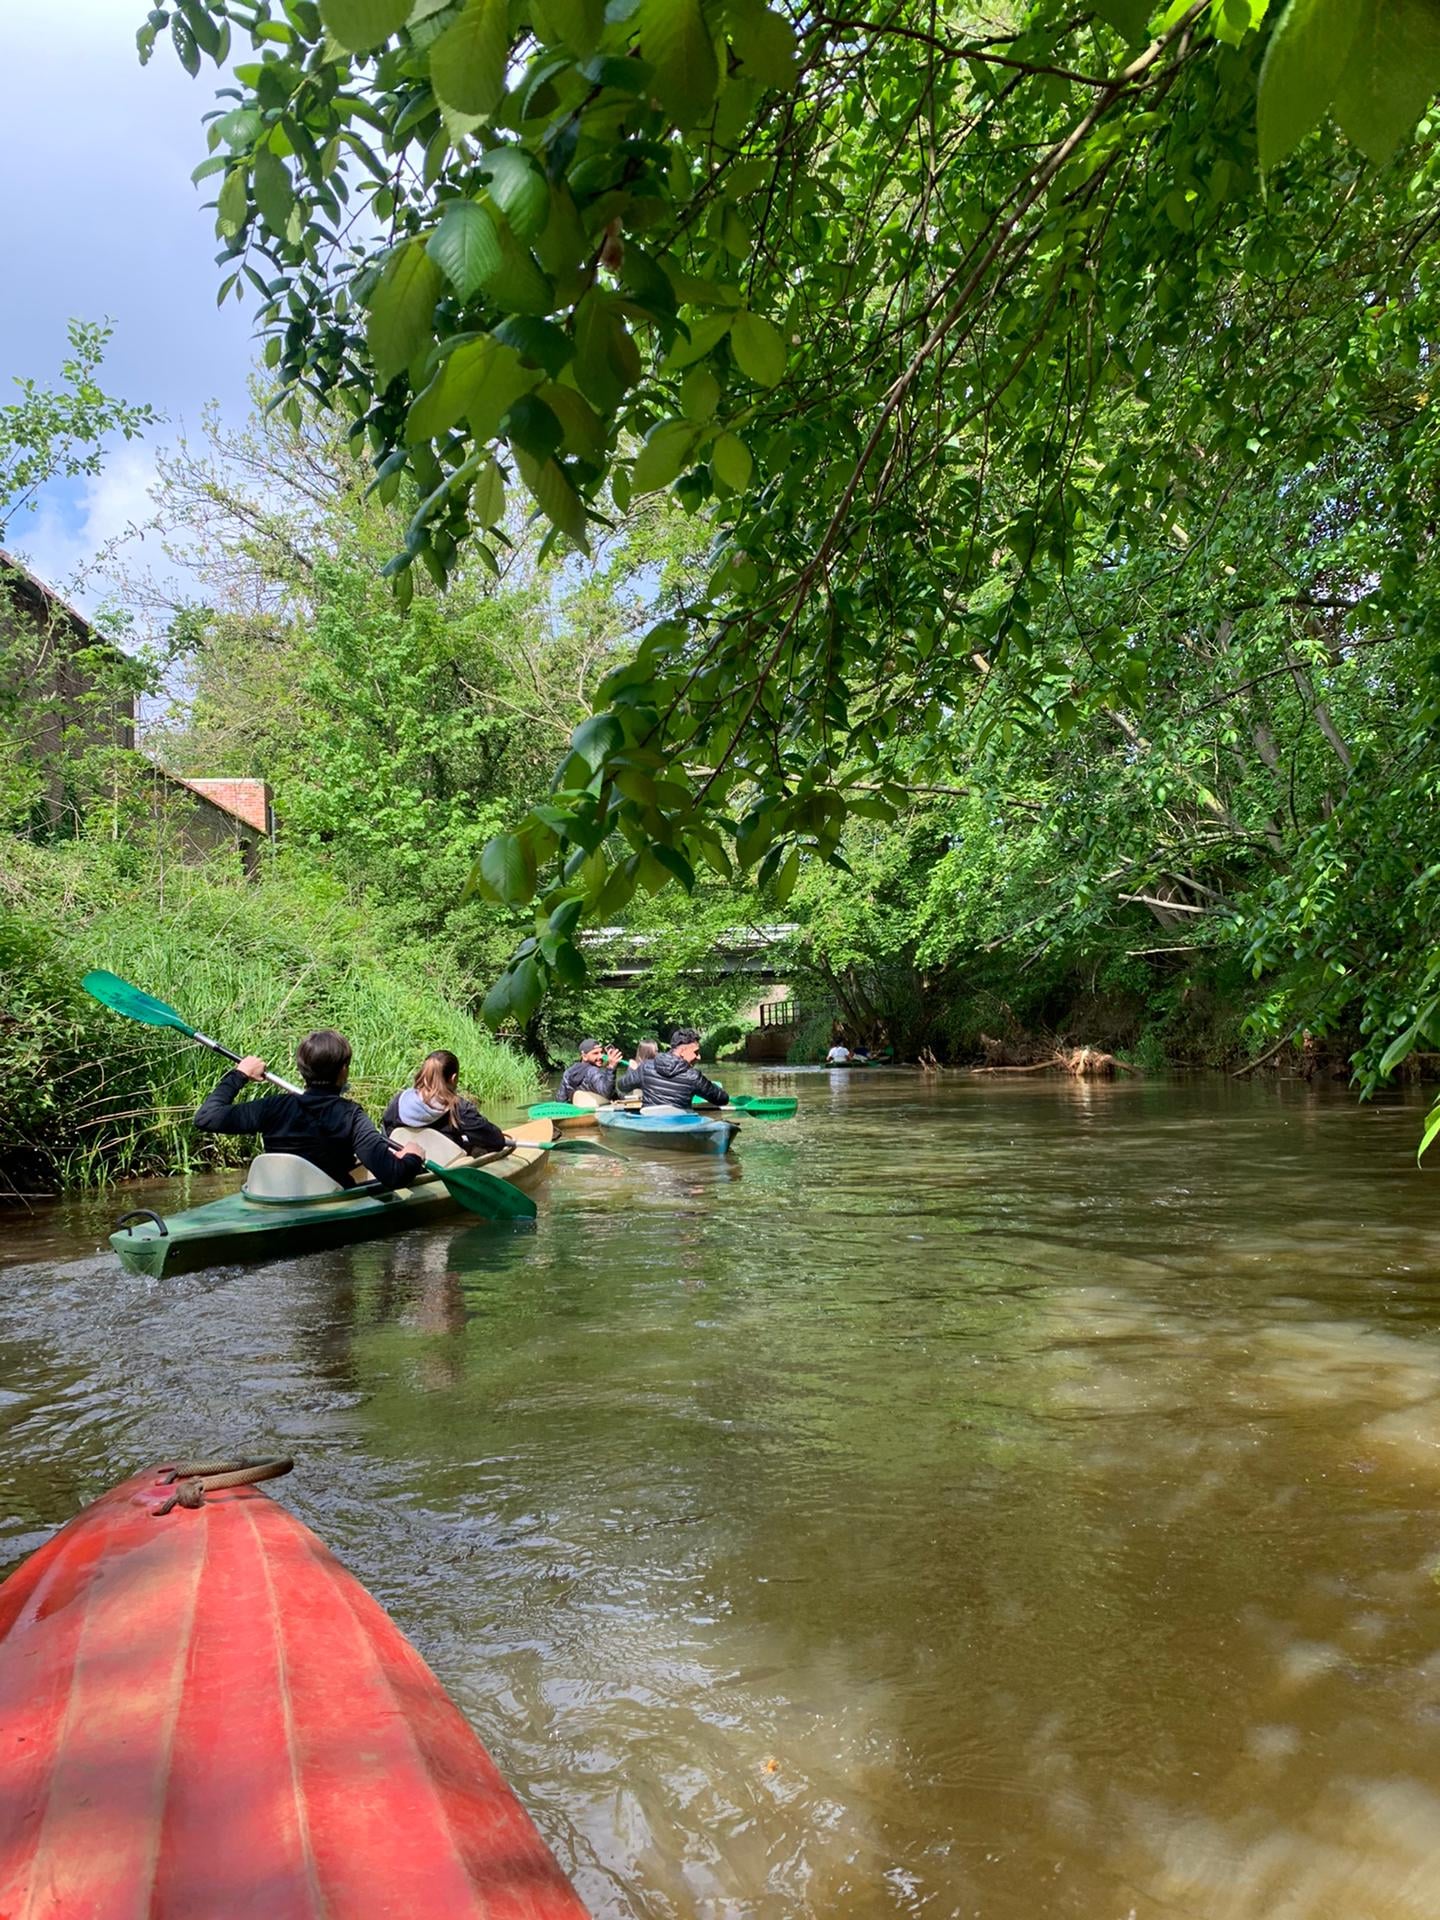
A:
x: 89, y: 1097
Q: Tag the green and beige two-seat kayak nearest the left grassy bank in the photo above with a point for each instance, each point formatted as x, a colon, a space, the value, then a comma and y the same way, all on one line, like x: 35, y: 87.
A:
x: 266, y: 1224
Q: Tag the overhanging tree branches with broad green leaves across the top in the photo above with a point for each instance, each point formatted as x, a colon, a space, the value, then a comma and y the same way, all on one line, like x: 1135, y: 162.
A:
x: 890, y: 302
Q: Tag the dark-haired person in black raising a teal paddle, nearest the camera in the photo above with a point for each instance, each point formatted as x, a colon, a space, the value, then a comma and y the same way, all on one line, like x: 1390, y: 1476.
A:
x: 318, y: 1124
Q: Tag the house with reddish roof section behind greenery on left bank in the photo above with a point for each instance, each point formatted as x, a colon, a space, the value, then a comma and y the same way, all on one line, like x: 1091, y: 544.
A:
x: 68, y: 702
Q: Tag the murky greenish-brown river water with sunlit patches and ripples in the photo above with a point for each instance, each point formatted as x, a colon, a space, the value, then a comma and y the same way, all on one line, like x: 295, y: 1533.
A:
x: 972, y: 1499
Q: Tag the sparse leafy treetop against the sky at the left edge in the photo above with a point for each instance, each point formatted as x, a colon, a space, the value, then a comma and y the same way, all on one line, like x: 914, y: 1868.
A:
x: 60, y: 433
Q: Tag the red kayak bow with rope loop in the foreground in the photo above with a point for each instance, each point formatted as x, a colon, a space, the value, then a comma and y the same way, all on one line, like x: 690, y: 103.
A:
x: 204, y: 1717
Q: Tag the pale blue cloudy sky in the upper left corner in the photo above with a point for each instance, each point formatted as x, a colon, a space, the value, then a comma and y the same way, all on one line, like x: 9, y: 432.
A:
x: 103, y: 222
